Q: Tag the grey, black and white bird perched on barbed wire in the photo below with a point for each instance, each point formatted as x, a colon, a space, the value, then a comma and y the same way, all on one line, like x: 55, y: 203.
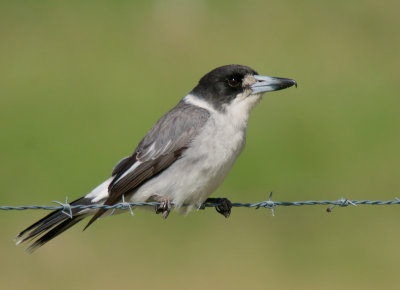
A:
x: 184, y: 157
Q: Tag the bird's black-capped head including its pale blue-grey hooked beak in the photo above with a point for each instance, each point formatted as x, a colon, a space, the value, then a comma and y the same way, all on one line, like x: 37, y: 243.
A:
x: 233, y: 84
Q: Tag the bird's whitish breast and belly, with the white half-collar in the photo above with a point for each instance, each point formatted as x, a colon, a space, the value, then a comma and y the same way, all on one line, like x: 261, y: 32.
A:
x: 207, y: 161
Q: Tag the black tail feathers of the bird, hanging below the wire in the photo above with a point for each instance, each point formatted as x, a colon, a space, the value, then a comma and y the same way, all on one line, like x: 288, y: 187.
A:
x: 52, y: 225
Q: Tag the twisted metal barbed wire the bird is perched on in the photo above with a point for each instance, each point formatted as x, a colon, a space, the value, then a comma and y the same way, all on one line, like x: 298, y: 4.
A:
x: 66, y: 208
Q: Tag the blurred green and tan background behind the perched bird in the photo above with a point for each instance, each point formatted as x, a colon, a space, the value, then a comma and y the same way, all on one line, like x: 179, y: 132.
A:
x: 81, y: 83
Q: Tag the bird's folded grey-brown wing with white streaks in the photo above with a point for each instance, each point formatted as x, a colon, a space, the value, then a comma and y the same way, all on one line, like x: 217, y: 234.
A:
x: 161, y: 147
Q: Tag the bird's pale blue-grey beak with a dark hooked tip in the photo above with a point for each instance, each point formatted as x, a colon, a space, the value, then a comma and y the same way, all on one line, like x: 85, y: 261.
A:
x: 266, y: 84
